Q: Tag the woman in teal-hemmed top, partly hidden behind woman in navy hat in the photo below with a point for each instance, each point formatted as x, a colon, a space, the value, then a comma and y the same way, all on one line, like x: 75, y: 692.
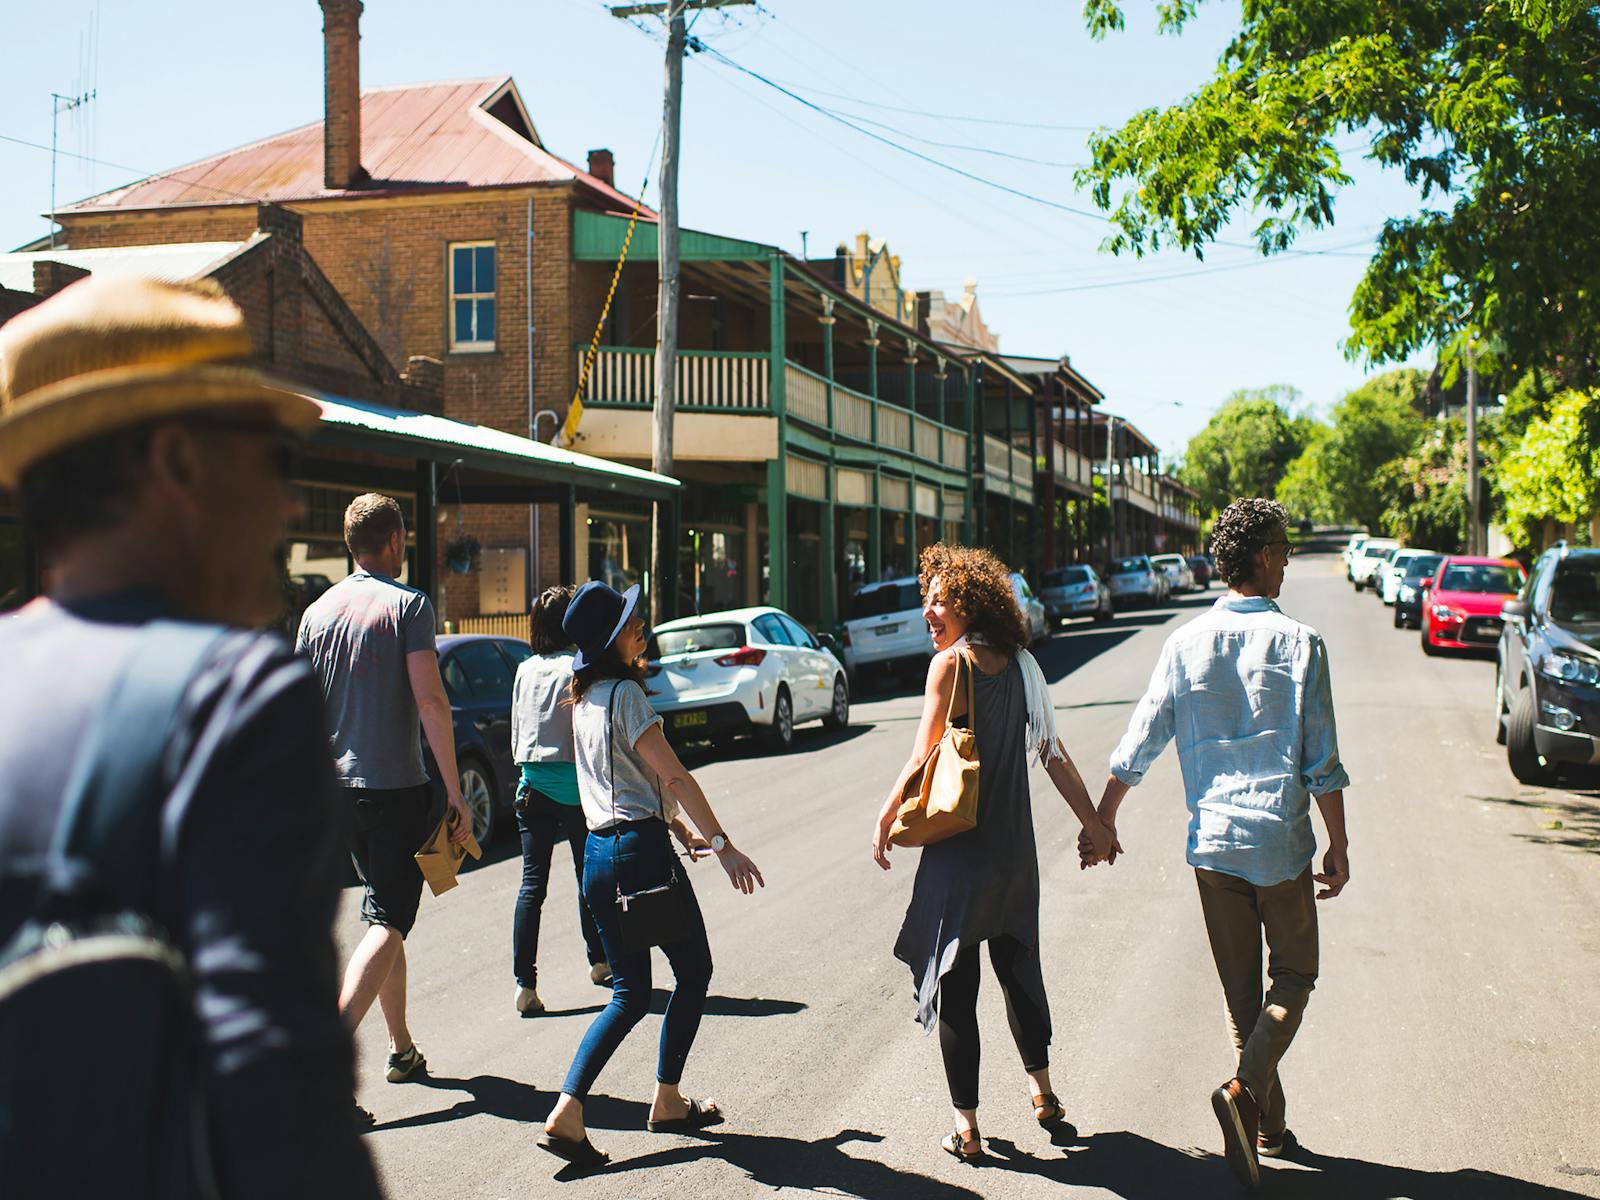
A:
x: 542, y: 740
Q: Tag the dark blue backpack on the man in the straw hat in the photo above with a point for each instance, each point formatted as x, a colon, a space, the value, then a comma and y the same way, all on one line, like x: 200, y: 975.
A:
x: 102, y: 1089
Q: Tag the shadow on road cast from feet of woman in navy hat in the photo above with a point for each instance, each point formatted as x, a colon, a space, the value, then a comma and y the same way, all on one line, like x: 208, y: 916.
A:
x: 794, y: 1164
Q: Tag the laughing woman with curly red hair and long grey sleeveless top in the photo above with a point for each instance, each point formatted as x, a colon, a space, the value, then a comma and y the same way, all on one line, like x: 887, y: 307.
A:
x: 983, y: 886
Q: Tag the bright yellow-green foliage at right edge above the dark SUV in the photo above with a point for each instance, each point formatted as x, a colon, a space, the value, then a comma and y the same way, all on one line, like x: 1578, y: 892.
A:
x: 1553, y: 473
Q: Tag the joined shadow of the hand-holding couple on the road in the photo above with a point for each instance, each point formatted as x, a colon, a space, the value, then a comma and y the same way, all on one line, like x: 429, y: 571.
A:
x: 1137, y: 1169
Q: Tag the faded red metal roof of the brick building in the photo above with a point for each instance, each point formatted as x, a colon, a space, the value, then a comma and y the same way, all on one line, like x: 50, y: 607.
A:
x: 425, y: 137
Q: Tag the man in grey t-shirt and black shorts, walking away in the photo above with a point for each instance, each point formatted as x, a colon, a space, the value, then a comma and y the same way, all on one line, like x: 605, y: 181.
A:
x: 372, y: 642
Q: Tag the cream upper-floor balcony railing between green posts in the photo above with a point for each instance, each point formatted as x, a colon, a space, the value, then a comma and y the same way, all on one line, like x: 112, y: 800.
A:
x: 718, y: 382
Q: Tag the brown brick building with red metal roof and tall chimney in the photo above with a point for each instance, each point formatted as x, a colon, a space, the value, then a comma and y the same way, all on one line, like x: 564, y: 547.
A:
x: 446, y: 225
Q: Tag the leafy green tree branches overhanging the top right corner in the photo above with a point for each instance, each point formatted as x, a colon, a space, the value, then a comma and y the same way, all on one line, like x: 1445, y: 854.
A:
x: 1492, y: 110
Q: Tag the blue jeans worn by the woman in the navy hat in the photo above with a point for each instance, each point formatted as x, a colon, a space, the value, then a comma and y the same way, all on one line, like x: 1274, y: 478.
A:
x: 641, y: 854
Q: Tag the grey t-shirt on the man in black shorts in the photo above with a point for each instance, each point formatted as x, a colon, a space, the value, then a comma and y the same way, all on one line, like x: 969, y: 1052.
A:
x: 358, y: 636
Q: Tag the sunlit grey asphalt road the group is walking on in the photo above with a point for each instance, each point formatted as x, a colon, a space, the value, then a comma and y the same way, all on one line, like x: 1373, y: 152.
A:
x: 1452, y: 1047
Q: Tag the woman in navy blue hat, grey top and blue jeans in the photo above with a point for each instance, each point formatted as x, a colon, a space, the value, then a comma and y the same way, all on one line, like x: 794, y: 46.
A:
x: 633, y: 790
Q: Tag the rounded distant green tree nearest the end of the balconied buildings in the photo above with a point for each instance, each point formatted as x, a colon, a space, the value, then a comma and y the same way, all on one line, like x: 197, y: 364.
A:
x: 1246, y: 447
